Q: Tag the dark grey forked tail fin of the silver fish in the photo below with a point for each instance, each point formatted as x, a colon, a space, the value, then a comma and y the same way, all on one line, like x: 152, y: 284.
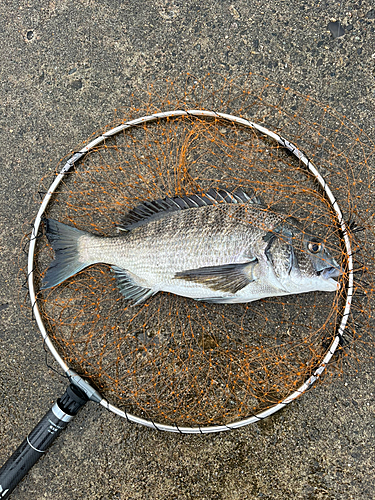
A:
x: 64, y: 241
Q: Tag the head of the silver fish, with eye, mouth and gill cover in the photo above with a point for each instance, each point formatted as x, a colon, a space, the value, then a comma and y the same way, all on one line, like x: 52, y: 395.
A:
x: 302, y: 261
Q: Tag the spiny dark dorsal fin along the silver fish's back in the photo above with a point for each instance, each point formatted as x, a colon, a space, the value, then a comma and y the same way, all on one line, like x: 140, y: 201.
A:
x: 157, y: 209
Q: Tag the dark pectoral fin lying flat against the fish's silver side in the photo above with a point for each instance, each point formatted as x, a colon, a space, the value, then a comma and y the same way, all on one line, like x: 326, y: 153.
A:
x: 226, y: 278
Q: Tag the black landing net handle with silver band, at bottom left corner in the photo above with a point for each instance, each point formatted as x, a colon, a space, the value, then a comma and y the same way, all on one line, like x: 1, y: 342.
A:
x: 40, y: 439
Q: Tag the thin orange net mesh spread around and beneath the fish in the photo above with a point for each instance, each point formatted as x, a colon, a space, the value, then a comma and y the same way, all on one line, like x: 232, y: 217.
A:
x: 176, y: 360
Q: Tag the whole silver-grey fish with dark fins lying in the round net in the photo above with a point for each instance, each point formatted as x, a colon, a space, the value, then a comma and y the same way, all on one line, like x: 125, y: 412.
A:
x: 222, y: 246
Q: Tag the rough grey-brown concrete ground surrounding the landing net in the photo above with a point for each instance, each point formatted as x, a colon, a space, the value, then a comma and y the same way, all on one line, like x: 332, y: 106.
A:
x: 65, y: 66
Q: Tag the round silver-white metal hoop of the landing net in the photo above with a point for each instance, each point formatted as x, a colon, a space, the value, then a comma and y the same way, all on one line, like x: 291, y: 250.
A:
x: 91, y: 392
